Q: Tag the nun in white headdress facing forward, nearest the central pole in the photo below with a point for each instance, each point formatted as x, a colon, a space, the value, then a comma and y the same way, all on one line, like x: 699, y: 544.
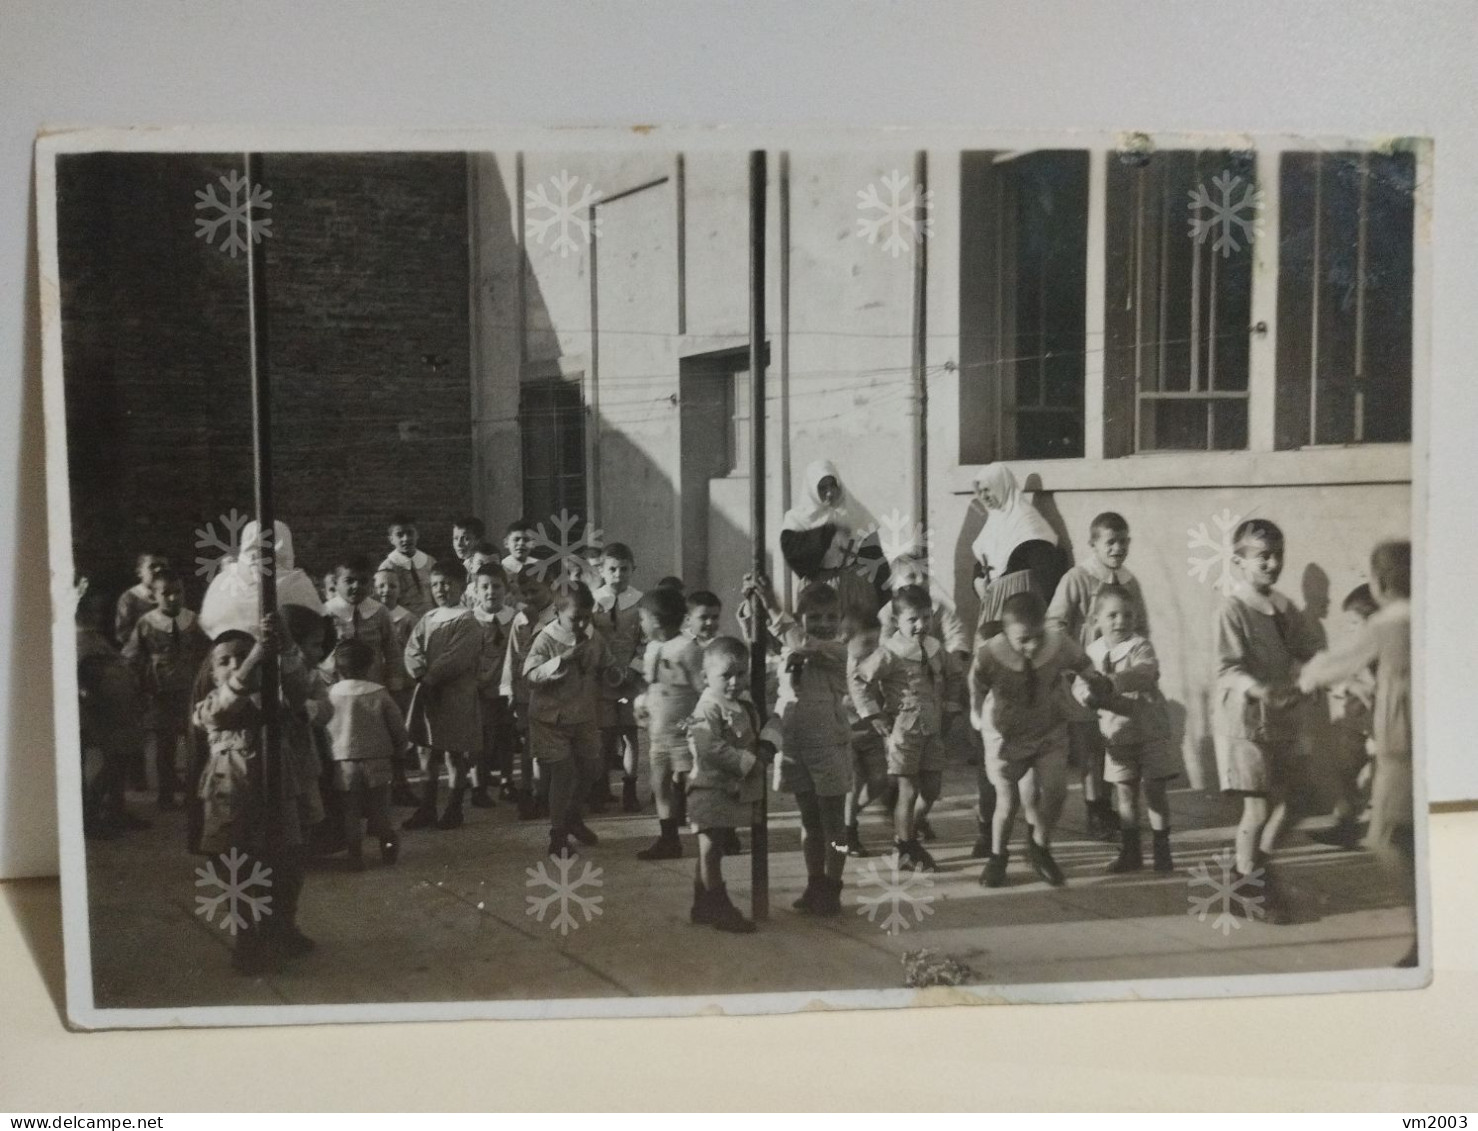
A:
x: 820, y: 543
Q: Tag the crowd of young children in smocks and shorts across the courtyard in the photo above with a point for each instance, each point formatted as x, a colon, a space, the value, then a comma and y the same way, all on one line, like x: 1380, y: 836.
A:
x: 533, y: 681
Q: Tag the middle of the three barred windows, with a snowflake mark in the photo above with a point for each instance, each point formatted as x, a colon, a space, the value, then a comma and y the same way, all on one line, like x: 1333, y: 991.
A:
x: 1179, y: 301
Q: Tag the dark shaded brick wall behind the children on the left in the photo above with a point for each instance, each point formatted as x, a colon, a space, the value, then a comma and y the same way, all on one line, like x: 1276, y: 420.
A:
x: 367, y: 276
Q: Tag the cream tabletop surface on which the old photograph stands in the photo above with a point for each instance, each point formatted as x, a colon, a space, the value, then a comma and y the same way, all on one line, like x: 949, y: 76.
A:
x: 1411, y: 1052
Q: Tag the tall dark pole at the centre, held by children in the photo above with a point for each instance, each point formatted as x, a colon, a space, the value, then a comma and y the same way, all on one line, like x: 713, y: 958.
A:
x: 759, y: 832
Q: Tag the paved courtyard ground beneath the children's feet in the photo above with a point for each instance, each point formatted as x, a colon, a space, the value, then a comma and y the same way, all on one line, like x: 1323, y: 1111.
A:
x: 453, y: 920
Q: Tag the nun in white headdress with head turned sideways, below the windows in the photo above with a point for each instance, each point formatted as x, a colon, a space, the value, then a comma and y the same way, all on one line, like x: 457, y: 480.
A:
x: 1016, y: 551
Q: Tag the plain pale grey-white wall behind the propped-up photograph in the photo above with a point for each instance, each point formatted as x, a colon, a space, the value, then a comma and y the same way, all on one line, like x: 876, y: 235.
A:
x: 1363, y: 70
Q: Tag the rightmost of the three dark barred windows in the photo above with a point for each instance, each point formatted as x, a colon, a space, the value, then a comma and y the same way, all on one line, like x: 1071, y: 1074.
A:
x: 1346, y: 274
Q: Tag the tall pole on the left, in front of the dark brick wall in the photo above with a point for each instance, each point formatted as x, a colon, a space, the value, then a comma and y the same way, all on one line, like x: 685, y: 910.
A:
x: 267, y: 515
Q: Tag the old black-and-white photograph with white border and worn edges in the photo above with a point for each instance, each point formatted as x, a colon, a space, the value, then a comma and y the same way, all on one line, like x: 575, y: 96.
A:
x: 654, y: 573
